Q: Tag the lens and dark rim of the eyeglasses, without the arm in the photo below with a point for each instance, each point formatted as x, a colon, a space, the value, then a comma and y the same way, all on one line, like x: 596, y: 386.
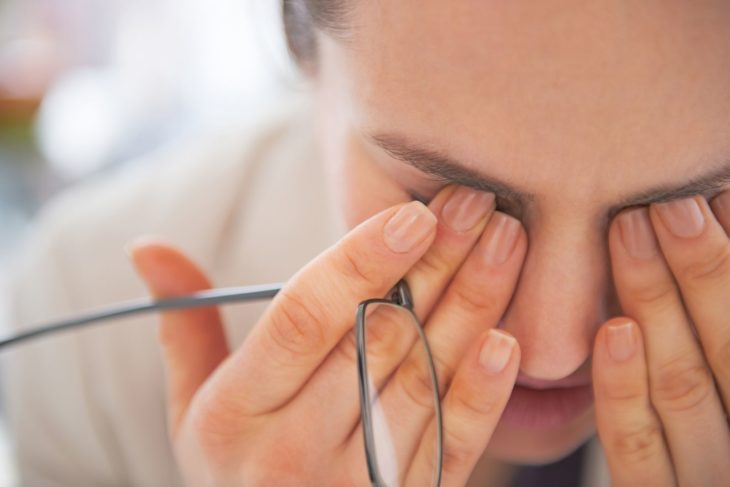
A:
x: 390, y: 338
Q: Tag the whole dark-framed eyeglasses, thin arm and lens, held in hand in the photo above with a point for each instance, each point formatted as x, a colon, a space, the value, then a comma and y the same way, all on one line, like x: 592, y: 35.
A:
x: 382, y: 325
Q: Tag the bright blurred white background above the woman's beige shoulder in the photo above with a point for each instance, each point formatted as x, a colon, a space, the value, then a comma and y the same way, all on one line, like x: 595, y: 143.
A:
x: 86, y: 85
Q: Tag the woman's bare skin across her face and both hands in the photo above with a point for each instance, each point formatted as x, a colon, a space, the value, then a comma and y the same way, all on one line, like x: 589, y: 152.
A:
x: 633, y: 97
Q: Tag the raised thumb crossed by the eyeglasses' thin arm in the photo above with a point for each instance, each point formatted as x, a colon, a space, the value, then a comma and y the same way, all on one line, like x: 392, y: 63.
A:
x: 193, y: 341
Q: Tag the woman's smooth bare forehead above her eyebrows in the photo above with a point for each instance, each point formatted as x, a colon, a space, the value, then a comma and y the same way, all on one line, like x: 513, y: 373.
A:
x: 533, y: 90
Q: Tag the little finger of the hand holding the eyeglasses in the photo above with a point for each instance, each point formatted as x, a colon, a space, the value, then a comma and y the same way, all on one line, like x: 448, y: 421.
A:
x: 471, y: 410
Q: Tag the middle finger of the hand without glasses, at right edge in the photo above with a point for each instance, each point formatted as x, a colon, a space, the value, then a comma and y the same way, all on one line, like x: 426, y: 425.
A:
x: 697, y: 250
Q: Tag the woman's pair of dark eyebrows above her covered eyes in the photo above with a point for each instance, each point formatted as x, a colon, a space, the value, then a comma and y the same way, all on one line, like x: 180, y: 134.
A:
x: 450, y: 171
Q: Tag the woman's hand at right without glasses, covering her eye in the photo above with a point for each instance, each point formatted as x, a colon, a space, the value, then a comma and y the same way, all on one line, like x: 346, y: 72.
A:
x: 663, y: 387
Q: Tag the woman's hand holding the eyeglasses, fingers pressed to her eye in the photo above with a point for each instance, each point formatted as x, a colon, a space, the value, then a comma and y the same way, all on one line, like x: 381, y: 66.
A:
x: 283, y: 408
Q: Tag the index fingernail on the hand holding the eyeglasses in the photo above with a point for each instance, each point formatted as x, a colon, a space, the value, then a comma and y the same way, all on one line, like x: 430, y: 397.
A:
x: 408, y: 227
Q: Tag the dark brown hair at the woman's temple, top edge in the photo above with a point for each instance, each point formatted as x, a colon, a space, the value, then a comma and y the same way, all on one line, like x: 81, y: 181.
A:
x: 302, y: 18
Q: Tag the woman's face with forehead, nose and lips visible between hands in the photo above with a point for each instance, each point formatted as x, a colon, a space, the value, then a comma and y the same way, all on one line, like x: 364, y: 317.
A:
x: 578, y: 108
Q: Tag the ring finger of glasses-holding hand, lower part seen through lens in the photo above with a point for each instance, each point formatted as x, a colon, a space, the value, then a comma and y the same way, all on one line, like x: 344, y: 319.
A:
x: 475, y: 301
